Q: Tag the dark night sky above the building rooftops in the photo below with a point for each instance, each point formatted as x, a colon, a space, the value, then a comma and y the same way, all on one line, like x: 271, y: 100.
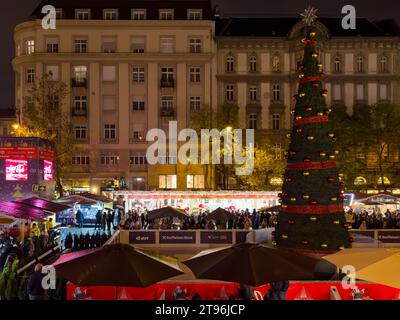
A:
x: 15, y: 11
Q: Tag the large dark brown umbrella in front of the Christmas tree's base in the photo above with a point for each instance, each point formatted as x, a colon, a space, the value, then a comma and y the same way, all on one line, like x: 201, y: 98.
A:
x: 252, y: 264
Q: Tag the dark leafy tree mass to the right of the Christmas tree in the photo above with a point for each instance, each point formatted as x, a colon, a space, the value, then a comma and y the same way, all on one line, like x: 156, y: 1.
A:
x: 368, y: 141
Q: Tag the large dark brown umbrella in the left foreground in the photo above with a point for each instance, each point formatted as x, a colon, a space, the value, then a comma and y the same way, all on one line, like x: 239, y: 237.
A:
x: 115, y: 265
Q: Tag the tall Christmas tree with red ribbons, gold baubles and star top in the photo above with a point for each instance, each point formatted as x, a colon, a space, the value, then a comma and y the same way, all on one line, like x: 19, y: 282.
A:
x: 311, y: 218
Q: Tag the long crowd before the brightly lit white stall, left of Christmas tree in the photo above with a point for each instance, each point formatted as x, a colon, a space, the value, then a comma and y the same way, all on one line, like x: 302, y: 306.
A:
x: 242, y: 219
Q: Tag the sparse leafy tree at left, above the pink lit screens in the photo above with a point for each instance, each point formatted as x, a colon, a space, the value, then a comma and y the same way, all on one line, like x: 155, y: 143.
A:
x: 44, y: 117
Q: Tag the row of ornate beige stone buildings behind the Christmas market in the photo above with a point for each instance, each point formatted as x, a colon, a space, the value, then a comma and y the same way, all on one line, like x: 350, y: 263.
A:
x: 136, y: 65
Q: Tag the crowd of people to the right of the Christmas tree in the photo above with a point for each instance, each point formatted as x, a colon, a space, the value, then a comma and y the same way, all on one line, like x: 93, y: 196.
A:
x: 373, y: 220
